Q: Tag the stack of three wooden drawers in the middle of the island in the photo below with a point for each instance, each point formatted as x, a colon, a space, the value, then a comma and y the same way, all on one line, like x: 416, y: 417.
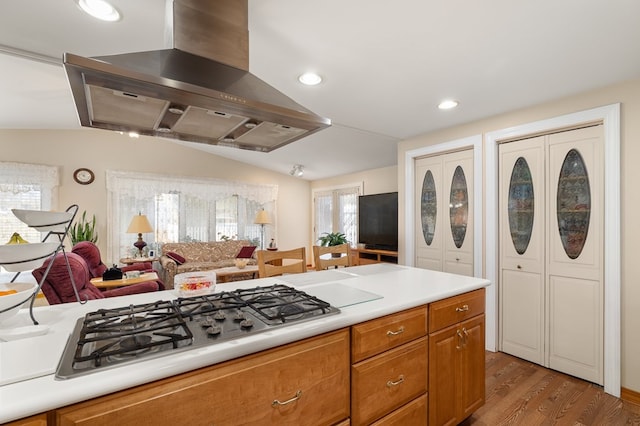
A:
x: 390, y: 356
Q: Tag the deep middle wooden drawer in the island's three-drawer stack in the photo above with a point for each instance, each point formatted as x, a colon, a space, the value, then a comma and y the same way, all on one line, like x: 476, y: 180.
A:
x: 385, y: 382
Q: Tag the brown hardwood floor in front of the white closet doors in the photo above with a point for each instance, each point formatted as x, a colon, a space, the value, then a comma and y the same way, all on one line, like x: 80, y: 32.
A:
x: 521, y: 393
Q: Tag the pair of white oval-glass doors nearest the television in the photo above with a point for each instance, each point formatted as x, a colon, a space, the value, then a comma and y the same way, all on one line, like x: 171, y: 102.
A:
x: 444, y: 216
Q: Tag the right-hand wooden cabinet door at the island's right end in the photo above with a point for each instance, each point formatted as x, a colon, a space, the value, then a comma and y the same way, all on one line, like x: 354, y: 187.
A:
x: 472, y: 369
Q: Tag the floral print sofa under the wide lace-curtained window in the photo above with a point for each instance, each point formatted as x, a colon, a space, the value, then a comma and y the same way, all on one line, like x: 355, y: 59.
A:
x: 199, y: 256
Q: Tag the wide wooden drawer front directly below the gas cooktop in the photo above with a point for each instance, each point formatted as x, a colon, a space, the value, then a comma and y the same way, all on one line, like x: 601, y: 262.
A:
x: 306, y: 382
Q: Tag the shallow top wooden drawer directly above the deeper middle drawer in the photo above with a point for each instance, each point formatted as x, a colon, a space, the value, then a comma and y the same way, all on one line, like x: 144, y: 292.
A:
x: 378, y: 335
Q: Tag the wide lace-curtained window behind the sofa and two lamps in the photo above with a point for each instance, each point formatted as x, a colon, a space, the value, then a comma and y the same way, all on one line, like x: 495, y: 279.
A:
x: 185, y: 209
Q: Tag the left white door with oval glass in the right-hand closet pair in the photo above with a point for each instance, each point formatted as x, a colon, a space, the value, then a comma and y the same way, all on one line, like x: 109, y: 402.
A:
x: 522, y: 229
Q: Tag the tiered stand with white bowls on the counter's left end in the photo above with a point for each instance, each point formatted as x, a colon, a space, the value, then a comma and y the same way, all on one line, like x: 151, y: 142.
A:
x: 24, y: 257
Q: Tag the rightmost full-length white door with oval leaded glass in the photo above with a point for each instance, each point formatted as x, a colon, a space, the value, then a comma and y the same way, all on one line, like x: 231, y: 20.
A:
x: 575, y: 253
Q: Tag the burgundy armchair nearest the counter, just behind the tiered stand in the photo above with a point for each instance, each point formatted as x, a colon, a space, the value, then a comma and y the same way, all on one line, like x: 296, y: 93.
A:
x: 58, y: 288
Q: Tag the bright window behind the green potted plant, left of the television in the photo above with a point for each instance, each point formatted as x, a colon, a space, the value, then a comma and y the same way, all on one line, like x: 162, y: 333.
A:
x: 336, y: 210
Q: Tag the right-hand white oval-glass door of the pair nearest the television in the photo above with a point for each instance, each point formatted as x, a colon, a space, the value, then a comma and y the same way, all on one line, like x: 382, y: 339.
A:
x: 458, y: 243
